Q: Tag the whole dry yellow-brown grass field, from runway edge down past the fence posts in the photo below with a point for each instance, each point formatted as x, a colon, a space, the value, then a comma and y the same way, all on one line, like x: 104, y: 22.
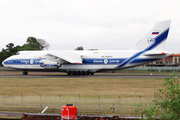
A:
x: 108, y: 89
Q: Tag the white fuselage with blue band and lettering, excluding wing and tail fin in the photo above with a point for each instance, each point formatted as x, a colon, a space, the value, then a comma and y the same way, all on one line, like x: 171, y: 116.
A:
x: 92, y: 61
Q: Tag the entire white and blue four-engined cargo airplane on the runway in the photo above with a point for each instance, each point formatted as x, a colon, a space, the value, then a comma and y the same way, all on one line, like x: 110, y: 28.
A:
x: 150, y: 48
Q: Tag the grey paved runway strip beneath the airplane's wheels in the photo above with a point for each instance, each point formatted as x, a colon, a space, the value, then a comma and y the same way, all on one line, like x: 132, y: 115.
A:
x: 18, y: 74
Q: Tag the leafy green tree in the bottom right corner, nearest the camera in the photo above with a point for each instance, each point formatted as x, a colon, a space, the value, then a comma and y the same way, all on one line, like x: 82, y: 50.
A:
x: 168, y: 102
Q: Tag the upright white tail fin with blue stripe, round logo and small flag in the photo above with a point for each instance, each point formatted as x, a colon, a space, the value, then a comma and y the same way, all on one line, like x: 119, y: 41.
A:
x: 155, y: 39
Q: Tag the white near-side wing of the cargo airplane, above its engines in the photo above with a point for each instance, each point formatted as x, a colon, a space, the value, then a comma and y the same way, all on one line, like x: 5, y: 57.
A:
x: 67, y: 56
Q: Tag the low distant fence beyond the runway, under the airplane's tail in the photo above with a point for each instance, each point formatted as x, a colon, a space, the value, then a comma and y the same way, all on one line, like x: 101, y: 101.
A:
x: 172, y: 69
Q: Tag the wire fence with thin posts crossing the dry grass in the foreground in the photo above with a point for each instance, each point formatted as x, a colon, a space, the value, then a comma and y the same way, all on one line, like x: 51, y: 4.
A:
x: 85, y: 105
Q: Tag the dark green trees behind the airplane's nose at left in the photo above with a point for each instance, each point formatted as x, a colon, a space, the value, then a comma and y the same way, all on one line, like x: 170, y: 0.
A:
x: 32, y: 43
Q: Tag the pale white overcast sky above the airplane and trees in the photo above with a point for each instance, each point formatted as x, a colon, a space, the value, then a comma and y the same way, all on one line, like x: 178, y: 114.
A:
x: 98, y: 24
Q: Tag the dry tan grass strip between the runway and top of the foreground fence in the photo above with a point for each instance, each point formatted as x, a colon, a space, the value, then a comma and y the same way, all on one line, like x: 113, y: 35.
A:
x: 89, y: 87
